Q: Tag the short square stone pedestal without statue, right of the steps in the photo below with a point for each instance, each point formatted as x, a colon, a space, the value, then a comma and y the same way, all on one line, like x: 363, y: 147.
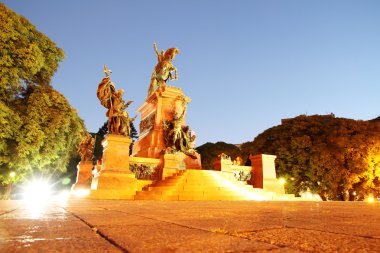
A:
x: 264, y: 174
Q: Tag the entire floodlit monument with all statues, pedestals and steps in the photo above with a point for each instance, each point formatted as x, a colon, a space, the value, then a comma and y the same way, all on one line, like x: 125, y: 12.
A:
x: 164, y: 164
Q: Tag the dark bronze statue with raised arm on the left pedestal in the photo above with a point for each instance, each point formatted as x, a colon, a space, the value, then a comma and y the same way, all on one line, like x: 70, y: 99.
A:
x: 118, y: 119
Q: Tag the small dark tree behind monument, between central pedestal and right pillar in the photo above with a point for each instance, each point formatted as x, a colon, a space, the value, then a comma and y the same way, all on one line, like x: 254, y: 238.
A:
x: 210, y: 151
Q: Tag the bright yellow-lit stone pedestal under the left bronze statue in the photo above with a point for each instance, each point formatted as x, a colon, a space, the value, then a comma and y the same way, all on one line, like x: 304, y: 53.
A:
x: 115, y: 180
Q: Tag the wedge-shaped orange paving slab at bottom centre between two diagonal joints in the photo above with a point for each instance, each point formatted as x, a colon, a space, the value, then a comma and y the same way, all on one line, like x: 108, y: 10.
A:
x: 164, y: 237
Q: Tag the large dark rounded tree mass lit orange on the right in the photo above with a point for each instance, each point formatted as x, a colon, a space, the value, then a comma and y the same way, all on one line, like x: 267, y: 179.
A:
x: 334, y: 157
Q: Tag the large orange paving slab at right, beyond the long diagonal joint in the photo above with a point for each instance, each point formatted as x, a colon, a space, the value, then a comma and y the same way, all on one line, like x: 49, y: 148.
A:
x: 318, y: 221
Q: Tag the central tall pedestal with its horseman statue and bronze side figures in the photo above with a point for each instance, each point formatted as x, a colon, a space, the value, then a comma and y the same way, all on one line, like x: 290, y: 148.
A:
x: 163, y: 130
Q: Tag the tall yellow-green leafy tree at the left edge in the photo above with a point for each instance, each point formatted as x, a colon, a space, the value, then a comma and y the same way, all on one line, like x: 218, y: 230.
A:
x: 39, y: 128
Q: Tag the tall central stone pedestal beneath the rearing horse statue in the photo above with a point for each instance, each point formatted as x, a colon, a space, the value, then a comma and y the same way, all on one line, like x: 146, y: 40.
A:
x: 157, y: 108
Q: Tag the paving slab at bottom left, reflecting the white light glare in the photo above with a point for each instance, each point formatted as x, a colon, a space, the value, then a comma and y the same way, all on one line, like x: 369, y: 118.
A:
x: 51, y: 230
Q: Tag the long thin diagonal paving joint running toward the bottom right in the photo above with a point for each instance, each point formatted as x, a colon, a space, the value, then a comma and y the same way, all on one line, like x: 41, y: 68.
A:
x: 201, y: 229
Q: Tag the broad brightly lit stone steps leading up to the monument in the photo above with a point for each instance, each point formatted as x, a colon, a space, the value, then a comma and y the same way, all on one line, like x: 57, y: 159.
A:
x: 205, y: 185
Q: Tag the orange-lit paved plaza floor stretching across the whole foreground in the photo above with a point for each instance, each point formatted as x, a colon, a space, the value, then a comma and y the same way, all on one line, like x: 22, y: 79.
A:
x: 189, y: 226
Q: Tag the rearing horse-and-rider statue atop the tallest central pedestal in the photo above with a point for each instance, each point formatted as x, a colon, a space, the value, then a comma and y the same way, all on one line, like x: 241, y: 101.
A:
x: 164, y: 68
